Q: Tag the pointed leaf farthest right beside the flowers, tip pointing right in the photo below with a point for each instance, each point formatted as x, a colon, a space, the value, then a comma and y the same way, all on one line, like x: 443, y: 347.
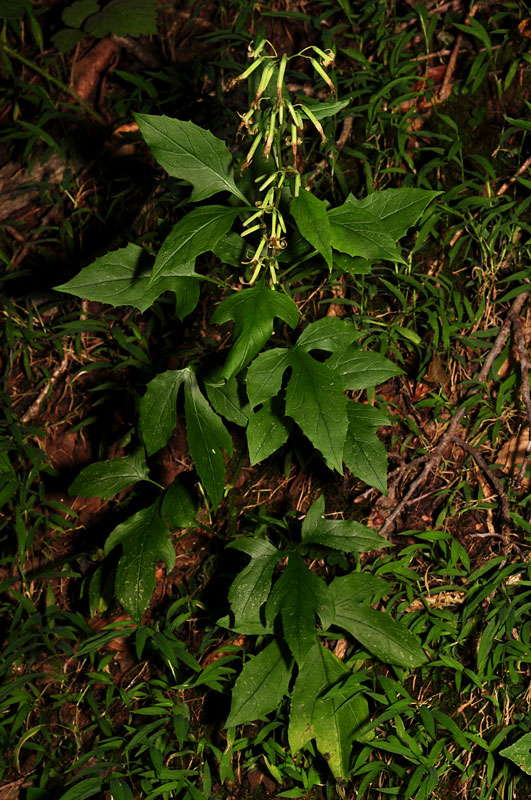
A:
x: 399, y: 209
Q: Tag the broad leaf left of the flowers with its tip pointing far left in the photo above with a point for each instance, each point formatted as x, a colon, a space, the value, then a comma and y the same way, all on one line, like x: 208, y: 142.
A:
x: 121, y: 278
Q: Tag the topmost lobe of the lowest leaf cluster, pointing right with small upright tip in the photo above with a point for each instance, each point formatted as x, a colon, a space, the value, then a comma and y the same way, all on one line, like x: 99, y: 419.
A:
x: 341, y: 534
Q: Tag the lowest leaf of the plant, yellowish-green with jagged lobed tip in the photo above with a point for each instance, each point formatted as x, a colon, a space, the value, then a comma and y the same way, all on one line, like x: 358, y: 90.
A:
x: 333, y: 722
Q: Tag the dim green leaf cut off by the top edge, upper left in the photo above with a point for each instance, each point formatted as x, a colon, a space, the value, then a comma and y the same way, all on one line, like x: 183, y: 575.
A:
x: 124, y: 18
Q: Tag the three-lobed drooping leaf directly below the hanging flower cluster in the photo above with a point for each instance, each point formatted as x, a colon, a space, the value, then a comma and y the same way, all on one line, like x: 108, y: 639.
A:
x: 253, y: 312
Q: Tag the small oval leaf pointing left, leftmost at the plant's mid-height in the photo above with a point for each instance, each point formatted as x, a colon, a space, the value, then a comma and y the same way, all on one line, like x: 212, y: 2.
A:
x: 106, y: 478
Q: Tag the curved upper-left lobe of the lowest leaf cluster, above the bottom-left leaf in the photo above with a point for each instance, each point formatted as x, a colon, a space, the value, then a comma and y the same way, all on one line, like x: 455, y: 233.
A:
x: 250, y: 589
